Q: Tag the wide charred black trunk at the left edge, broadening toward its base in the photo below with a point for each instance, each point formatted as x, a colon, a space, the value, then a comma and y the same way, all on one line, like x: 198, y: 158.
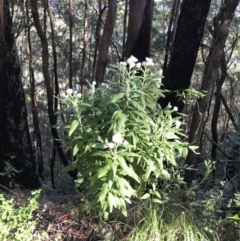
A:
x: 15, y: 143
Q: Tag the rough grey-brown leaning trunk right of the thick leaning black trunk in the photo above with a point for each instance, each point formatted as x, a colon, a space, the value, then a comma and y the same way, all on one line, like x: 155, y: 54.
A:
x: 221, y: 24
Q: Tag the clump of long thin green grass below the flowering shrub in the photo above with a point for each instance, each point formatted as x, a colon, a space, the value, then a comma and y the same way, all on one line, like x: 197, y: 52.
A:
x: 172, y: 223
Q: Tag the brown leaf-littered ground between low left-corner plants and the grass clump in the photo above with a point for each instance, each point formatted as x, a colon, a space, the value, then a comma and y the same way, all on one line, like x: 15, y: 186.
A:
x: 64, y: 216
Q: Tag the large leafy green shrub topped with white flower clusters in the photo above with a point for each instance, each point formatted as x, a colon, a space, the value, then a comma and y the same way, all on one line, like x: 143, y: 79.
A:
x: 120, y: 138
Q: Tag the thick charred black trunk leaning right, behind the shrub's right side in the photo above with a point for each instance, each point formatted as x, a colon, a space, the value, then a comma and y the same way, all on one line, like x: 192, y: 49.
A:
x: 190, y: 27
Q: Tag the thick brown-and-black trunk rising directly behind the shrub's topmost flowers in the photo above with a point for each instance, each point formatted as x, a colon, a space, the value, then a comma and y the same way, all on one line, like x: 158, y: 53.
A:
x: 139, y: 29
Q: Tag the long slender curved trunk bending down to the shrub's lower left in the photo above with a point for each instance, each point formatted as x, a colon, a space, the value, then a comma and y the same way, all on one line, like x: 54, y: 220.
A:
x: 47, y: 79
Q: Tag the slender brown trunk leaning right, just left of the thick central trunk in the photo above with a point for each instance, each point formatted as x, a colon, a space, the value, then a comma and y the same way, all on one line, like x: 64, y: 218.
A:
x: 105, y: 41
